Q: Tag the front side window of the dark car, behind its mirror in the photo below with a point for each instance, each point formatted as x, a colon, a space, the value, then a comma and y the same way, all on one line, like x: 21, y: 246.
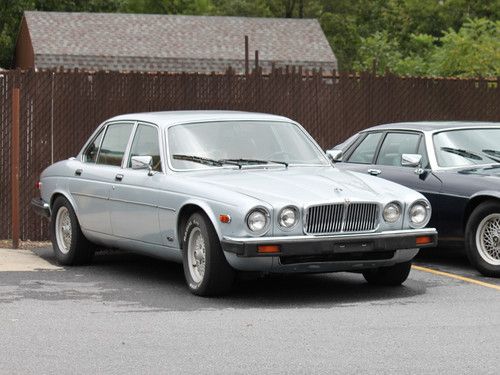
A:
x: 396, y: 144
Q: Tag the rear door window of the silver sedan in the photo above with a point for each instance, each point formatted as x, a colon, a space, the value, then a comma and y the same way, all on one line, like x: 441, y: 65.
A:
x: 114, y: 144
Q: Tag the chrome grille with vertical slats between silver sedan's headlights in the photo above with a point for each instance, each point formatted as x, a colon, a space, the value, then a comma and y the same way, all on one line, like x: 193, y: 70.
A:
x: 343, y: 217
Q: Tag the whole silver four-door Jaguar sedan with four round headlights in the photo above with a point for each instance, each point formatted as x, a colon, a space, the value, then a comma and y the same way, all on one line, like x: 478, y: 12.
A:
x: 224, y: 192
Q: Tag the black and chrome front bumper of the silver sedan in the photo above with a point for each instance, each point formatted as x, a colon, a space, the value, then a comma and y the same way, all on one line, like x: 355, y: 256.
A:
x: 291, y: 246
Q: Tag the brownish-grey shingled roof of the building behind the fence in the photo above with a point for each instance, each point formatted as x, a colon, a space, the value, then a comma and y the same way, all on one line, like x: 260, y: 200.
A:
x: 140, y: 42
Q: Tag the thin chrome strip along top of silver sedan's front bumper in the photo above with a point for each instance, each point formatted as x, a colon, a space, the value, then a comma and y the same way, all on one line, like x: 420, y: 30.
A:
x: 337, y: 237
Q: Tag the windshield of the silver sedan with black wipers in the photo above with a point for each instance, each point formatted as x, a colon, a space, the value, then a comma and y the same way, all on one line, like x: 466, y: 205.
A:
x: 214, y: 144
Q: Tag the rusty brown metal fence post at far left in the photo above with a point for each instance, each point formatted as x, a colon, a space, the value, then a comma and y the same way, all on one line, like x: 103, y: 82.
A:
x: 15, y: 167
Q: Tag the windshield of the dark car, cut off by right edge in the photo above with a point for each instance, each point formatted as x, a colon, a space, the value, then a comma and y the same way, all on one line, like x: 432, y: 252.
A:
x: 458, y: 148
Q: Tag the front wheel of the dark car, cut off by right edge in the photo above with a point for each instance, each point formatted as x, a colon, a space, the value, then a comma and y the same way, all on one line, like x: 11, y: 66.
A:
x: 482, y: 238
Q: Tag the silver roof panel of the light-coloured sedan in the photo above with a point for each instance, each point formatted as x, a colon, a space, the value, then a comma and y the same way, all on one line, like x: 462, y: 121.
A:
x: 169, y: 118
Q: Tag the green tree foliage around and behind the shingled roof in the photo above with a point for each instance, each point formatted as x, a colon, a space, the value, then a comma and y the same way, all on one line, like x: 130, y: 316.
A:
x: 407, y: 37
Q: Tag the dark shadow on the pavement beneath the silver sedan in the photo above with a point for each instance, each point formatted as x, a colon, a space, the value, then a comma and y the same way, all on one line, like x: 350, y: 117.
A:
x: 146, y: 284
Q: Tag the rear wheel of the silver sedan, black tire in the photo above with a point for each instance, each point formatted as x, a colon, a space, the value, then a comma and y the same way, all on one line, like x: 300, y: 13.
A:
x: 79, y: 250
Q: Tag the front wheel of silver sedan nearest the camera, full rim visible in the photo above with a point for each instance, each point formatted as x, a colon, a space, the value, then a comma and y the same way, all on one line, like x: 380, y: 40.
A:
x: 205, y: 266
